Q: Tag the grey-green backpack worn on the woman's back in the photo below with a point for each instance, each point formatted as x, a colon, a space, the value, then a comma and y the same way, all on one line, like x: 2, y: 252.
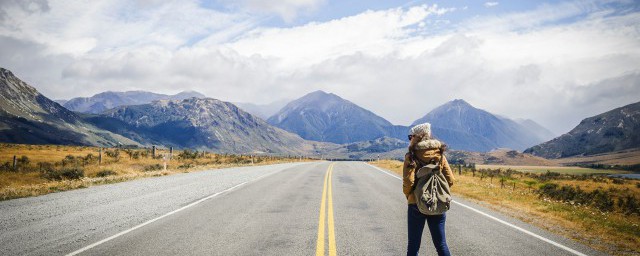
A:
x: 432, y: 193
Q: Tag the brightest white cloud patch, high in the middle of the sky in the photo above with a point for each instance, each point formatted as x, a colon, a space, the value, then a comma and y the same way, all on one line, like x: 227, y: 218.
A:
x: 376, y: 33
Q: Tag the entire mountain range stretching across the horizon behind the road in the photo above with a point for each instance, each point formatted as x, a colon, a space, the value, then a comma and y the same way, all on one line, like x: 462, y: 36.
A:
x: 316, y: 124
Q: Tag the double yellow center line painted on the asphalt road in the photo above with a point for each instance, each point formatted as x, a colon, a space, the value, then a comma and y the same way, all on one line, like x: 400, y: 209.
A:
x: 327, y: 195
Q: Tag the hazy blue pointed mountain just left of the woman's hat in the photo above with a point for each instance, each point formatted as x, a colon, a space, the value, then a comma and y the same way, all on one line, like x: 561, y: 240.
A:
x: 324, y: 116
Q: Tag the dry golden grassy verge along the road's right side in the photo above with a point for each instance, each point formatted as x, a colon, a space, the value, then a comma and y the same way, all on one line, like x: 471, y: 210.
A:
x: 534, y: 199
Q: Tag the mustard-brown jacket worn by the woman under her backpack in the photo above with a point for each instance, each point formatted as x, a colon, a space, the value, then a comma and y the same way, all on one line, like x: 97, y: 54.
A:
x: 425, y: 152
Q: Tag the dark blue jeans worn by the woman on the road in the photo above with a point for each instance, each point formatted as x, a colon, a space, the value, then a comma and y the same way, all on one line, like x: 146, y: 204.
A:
x: 415, y: 224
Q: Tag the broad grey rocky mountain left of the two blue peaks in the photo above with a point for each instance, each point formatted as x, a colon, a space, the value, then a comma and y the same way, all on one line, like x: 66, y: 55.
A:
x: 203, y: 124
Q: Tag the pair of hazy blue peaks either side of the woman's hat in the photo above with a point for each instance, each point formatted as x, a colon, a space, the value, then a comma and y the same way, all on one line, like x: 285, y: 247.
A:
x: 322, y: 116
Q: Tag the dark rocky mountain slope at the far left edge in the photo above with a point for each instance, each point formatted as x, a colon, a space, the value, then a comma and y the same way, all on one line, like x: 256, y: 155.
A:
x: 28, y: 117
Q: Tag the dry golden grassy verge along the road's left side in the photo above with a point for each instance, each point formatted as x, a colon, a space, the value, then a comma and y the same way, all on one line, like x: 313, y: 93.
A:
x: 43, y: 169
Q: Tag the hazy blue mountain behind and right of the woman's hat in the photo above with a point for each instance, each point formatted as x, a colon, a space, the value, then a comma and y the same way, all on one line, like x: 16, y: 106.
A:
x: 464, y: 127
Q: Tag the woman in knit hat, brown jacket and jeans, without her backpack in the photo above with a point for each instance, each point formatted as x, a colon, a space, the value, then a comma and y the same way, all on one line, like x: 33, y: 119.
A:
x: 424, y: 149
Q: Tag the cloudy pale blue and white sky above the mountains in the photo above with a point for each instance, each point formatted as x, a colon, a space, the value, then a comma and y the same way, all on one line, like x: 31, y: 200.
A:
x: 554, y: 62
